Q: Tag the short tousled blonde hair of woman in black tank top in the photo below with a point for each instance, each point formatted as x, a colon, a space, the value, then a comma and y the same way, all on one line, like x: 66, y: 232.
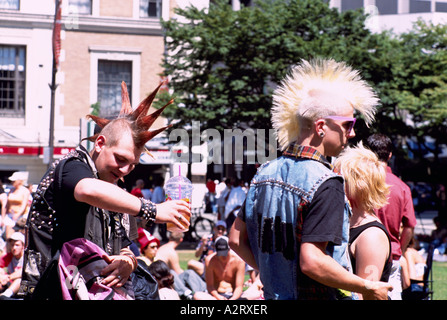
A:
x: 365, y: 177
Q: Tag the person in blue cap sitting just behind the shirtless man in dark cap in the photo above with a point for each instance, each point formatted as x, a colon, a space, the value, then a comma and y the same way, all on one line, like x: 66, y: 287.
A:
x: 206, y: 247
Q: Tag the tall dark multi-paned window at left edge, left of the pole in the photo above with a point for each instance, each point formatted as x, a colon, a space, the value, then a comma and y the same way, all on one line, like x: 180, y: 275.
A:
x: 12, y: 81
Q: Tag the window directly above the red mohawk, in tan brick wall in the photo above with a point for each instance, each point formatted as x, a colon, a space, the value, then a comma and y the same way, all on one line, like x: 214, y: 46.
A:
x: 110, y: 76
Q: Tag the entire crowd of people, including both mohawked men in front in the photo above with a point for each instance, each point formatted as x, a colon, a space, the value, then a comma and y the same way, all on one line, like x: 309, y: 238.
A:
x: 324, y: 221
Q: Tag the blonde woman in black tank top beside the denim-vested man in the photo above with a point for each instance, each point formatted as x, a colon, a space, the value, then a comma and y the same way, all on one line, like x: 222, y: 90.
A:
x: 366, y: 189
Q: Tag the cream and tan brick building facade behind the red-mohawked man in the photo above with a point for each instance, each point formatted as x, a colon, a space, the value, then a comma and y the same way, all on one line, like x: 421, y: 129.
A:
x: 103, y: 42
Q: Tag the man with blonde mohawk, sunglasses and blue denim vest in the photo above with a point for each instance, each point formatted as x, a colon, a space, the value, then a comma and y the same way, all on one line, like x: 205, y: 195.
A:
x: 294, y: 225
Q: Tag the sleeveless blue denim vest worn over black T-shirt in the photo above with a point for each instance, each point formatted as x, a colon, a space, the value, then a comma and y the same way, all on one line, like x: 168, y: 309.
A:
x: 278, y: 193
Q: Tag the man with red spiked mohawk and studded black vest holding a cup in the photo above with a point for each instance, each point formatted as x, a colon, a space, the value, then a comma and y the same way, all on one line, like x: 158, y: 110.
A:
x: 79, y: 197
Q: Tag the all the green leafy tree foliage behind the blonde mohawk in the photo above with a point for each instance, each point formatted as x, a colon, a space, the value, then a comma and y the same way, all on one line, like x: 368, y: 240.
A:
x: 223, y: 65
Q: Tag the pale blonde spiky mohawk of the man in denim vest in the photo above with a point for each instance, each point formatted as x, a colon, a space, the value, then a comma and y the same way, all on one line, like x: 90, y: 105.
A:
x: 299, y: 93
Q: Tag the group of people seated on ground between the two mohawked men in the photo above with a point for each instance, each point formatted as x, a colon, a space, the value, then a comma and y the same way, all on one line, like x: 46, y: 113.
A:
x: 217, y: 273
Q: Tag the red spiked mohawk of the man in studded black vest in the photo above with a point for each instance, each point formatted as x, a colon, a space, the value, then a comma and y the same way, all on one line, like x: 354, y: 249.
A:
x: 141, y: 122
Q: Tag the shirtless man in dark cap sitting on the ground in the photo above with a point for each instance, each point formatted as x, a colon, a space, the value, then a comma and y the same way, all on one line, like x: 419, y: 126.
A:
x: 225, y: 272
